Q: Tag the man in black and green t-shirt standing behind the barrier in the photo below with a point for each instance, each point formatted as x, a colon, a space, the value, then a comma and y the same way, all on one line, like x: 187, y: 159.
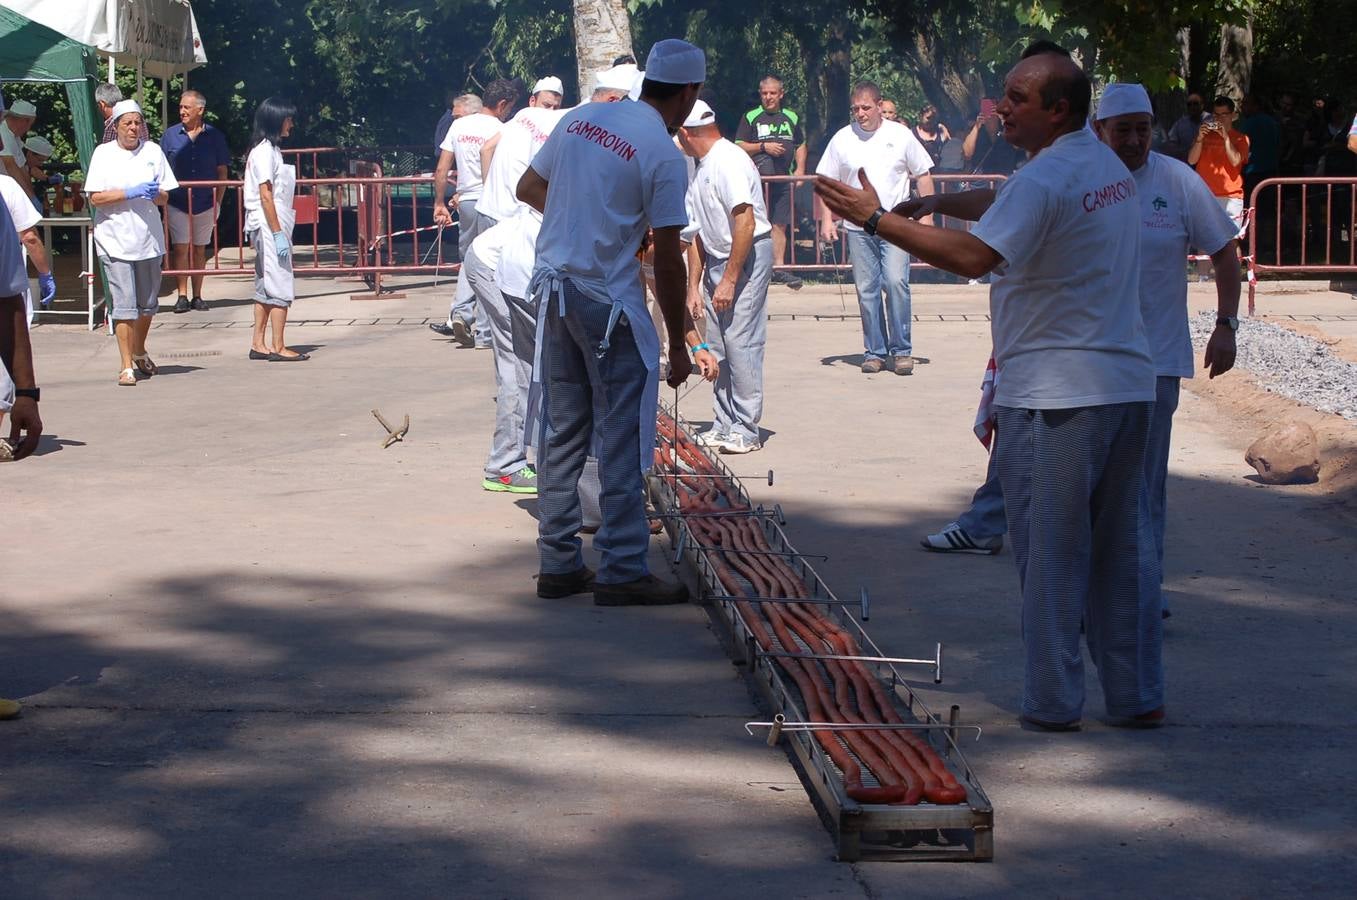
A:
x: 774, y: 139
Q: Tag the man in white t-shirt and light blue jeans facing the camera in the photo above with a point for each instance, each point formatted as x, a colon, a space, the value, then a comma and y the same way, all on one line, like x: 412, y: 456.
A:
x: 892, y: 157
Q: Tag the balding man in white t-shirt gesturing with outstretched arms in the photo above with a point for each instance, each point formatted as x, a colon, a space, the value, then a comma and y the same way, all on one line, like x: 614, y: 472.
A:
x: 1074, y: 397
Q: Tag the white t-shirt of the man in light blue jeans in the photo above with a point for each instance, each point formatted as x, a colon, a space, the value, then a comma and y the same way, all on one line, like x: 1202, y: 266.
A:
x: 892, y: 155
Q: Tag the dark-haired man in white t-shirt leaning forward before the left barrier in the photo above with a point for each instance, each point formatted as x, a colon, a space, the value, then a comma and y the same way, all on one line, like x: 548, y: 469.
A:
x: 462, y: 150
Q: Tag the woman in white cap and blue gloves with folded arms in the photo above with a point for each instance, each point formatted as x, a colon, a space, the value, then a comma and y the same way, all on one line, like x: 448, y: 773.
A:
x: 127, y: 181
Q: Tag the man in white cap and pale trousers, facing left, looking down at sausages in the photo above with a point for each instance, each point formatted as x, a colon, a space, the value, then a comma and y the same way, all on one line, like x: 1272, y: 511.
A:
x: 729, y: 222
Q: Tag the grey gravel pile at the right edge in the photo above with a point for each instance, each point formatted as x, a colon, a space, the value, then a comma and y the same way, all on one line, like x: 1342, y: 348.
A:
x: 1288, y: 364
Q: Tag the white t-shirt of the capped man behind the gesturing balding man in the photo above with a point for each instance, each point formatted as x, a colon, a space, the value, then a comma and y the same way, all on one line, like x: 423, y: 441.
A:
x: 1177, y: 212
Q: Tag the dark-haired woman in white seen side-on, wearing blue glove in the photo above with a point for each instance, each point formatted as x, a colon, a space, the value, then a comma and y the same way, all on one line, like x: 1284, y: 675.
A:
x: 269, y: 219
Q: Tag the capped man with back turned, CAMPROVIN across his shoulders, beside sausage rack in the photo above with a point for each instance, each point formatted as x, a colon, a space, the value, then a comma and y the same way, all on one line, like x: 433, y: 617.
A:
x: 607, y: 174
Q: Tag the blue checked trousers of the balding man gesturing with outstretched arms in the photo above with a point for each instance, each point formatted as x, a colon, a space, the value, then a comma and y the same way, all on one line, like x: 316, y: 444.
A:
x: 1079, y: 525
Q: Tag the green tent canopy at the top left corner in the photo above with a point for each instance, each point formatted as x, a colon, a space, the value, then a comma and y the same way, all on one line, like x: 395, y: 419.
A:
x: 32, y: 52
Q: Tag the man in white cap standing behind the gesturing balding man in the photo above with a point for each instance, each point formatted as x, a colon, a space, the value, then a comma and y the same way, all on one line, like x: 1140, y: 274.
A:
x: 1177, y: 212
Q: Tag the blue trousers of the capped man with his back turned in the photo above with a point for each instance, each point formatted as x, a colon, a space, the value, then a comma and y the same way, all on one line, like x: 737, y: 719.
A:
x: 584, y: 390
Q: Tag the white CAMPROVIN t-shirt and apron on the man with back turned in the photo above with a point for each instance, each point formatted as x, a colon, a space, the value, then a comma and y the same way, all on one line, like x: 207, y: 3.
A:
x: 613, y: 172
